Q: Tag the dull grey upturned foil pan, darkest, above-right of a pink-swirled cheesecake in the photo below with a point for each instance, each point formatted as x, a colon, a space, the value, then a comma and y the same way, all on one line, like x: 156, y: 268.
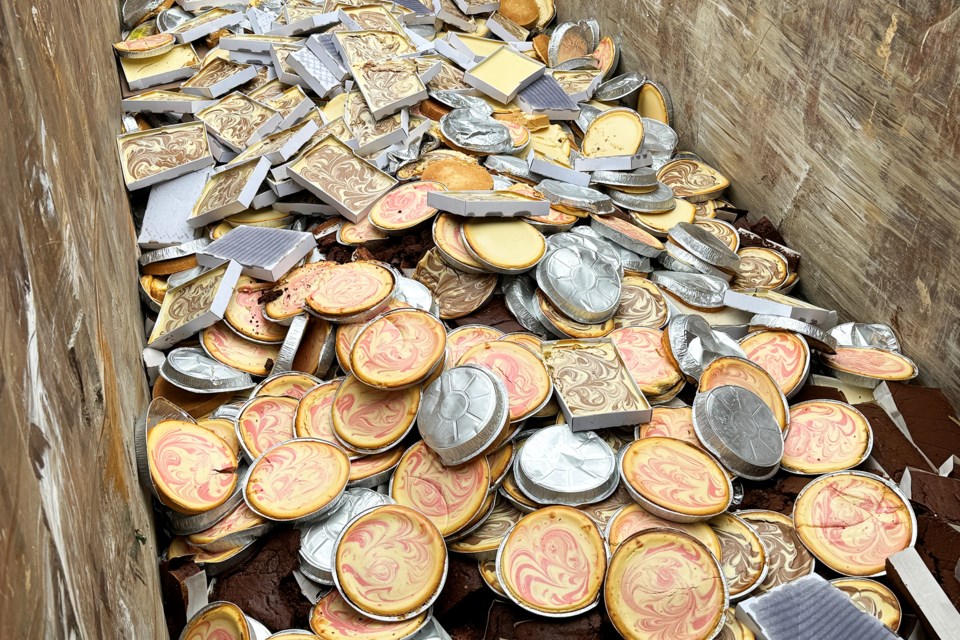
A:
x: 737, y: 427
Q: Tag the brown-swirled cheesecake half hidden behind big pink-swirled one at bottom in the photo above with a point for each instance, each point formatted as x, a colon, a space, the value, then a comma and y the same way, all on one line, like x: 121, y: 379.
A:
x: 743, y: 557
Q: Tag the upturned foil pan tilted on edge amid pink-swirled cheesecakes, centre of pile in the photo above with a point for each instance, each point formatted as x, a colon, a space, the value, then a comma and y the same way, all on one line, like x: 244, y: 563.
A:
x: 462, y: 413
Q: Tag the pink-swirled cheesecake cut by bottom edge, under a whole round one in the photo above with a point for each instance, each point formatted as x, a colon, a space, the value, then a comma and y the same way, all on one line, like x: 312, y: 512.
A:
x: 332, y: 618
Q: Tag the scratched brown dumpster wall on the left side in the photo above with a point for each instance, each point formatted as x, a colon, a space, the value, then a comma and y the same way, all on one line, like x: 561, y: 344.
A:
x: 76, y: 548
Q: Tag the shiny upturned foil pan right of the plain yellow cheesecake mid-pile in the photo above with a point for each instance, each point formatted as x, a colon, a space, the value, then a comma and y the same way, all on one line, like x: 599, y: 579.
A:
x: 581, y: 283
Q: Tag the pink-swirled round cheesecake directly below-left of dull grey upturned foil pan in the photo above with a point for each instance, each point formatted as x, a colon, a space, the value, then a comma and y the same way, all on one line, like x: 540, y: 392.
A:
x: 675, y: 480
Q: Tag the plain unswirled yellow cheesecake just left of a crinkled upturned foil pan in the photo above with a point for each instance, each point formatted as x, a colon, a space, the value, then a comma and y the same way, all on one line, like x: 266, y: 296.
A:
x: 505, y: 245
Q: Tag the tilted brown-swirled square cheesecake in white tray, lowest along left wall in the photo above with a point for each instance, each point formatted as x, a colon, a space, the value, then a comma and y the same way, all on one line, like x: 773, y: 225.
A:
x: 194, y: 305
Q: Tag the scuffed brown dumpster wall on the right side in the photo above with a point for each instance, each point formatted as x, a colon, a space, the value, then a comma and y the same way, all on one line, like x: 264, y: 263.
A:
x: 839, y: 122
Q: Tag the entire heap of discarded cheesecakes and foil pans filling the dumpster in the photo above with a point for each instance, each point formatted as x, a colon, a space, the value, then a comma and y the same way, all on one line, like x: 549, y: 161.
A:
x: 428, y: 281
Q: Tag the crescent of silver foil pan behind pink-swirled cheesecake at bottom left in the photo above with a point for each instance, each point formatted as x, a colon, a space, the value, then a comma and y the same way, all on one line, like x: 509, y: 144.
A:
x: 317, y: 541
